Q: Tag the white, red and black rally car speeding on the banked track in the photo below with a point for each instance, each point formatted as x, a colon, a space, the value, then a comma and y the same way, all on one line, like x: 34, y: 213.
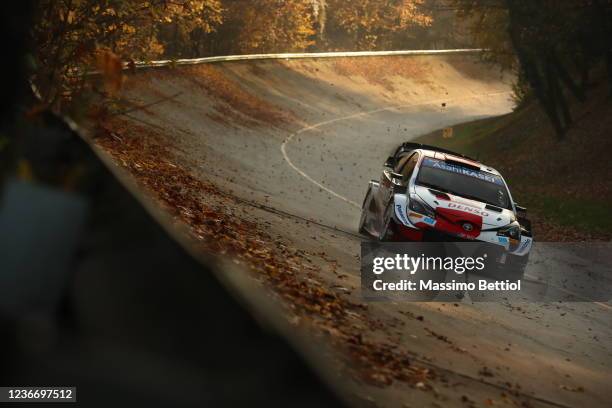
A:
x: 427, y: 193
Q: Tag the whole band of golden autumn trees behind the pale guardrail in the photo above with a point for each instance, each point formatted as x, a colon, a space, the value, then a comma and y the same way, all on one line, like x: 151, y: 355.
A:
x: 74, y: 37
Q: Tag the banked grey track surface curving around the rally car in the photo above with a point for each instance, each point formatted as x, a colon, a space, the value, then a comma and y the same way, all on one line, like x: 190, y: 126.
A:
x: 345, y: 117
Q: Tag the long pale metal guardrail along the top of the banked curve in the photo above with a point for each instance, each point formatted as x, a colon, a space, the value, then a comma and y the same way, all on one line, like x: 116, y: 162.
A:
x: 305, y: 55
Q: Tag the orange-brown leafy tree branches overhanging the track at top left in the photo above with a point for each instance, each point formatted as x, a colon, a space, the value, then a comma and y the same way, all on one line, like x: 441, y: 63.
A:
x: 67, y: 32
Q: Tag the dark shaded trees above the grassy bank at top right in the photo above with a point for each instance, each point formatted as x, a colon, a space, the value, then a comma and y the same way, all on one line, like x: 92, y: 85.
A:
x: 560, y: 50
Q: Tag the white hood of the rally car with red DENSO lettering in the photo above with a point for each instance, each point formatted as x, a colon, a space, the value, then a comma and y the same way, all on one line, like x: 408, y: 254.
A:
x: 491, y: 217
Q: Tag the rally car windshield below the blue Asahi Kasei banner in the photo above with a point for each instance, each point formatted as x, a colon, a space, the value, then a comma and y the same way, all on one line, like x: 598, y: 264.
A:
x: 478, y: 185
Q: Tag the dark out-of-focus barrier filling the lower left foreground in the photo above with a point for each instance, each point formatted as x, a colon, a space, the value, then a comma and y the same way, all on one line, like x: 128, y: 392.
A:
x: 94, y: 293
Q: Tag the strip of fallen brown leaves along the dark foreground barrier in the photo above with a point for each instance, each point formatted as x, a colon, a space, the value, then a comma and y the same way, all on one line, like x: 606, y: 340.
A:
x: 213, y: 221
